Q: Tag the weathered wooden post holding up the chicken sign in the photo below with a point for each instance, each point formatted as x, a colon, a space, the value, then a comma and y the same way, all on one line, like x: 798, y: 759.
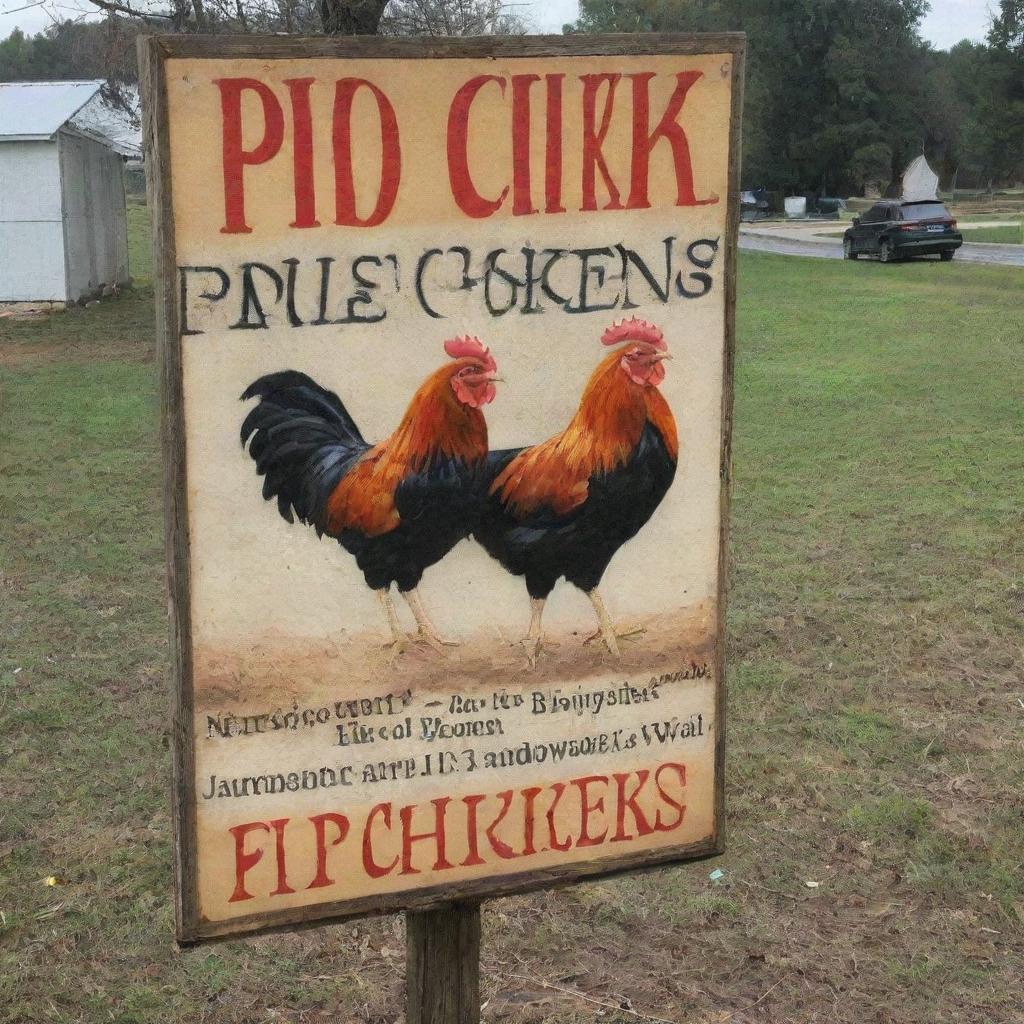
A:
x: 443, y: 973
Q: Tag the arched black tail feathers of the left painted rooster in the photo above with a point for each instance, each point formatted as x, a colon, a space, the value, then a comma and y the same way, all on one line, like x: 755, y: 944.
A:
x: 304, y: 441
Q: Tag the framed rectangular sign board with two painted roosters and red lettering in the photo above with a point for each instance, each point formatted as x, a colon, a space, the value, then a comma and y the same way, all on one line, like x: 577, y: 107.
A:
x: 446, y: 333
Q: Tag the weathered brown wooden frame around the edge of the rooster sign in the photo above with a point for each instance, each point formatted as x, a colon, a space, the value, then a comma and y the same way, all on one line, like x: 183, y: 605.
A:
x: 154, y: 52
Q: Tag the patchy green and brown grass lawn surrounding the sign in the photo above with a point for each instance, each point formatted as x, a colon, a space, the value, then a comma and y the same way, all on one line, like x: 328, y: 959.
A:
x: 877, y: 700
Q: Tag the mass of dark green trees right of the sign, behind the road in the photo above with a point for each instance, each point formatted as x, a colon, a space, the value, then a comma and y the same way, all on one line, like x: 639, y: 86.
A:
x: 842, y: 95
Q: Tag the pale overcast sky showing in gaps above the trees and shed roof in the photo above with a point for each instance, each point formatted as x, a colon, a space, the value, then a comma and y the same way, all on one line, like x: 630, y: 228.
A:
x: 950, y: 21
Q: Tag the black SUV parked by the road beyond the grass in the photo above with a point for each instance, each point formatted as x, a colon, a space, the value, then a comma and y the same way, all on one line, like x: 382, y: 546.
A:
x: 897, y: 230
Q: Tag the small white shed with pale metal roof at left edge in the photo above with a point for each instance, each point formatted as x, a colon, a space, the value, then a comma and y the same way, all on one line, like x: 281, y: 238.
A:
x: 63, y: 225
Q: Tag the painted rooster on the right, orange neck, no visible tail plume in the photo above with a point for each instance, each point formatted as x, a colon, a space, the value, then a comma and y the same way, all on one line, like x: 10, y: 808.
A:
x: 565, y: 507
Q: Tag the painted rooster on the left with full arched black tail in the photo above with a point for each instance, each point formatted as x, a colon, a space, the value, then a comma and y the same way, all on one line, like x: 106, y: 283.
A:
x: 399, y: 506
